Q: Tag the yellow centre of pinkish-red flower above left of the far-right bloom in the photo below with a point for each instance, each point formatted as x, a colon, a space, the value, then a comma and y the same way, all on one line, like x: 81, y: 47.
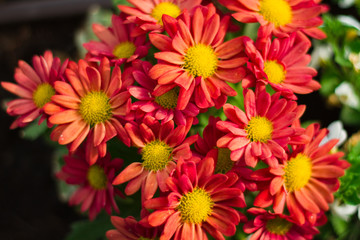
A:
x: 259, y: 129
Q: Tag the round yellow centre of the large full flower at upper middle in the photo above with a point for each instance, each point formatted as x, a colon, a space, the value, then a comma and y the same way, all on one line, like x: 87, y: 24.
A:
x: 200, y: 60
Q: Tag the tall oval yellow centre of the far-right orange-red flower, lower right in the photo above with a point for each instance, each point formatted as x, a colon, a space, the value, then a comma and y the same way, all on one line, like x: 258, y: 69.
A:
x: 297, y: 172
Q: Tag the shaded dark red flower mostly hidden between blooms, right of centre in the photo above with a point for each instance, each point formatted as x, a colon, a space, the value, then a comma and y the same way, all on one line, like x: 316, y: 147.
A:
x: 206, y: 147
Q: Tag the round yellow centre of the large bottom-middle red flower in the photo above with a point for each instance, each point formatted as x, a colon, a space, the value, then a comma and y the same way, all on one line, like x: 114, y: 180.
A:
x: 195, y: 206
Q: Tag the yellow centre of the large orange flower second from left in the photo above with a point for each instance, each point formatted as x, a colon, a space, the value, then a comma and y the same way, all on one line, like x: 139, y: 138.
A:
x: 95, y: 108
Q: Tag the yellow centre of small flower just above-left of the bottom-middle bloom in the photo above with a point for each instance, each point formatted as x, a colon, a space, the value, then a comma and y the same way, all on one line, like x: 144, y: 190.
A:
x: 156, y: 155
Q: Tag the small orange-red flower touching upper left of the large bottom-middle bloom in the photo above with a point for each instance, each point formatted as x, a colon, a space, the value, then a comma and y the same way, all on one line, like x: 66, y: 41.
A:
x: 160, y: 146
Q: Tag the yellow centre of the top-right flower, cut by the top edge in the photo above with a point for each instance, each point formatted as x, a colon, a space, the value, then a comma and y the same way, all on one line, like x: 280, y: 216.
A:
x: 277, y: 12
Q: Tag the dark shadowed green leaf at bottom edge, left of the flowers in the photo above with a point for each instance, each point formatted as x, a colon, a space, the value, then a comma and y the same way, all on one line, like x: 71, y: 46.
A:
x: 90, y: 230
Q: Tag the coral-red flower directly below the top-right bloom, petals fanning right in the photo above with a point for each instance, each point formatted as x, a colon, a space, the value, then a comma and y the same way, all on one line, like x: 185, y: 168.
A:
x: 282, y: 64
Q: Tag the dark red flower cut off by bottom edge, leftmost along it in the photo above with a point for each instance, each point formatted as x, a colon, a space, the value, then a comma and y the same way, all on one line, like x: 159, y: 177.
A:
x: 129, y: 229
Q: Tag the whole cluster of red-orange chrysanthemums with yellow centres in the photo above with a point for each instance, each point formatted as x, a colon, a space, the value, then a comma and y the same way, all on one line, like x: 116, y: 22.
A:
x: 193, y: 185
